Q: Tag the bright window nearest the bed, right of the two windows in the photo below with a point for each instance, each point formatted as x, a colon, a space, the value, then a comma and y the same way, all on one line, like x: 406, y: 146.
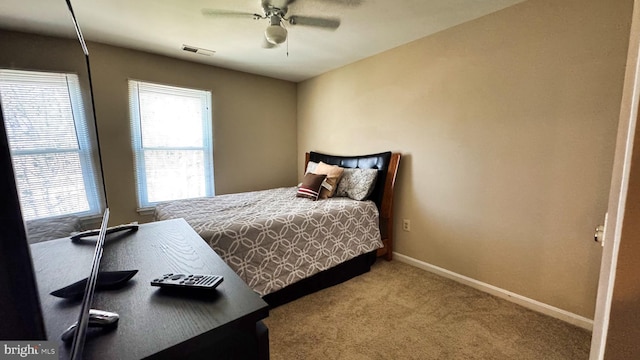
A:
x: 172, y: 142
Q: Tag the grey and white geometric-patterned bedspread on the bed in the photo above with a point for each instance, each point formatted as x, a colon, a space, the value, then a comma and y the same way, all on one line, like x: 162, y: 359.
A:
x: 272, y: 239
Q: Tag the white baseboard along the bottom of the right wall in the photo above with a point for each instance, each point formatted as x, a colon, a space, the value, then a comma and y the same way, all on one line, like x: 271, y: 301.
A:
x: 531, y: 304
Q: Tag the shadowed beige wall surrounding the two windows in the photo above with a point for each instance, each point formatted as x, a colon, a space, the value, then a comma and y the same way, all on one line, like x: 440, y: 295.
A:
x: 254, y: 146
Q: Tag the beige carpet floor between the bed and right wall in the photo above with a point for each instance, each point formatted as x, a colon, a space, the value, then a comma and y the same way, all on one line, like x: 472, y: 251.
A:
x: 397, y: 311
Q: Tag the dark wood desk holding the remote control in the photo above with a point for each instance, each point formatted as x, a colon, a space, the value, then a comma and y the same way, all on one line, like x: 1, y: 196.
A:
x: 153, y: 323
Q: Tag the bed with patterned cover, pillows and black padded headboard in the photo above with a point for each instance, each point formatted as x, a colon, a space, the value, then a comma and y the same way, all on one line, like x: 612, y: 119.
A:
x: 285, y: 245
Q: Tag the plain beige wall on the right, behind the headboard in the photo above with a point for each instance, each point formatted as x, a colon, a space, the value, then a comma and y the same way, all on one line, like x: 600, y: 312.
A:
x: 507, y: 125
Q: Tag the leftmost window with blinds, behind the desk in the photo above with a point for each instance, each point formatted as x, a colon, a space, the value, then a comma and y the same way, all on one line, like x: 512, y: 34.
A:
x: 51, y: 150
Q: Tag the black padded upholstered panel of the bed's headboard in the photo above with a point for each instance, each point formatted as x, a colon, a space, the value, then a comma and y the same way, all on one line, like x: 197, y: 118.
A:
x: 373, y: 161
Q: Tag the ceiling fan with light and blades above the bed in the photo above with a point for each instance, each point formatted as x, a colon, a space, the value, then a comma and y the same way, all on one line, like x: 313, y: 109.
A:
x: 275, y: 33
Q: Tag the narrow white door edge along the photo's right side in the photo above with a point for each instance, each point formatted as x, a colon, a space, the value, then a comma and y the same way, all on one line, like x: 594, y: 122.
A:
x: 618, y: 192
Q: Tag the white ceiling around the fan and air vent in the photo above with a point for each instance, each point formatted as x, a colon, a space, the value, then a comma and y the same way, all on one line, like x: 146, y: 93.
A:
x: 367, y: 27
